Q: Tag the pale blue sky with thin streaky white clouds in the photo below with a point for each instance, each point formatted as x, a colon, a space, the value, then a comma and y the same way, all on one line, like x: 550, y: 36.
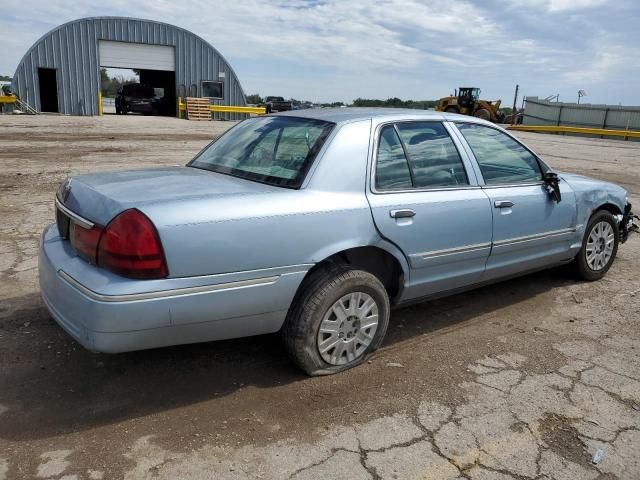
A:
x: 339, y: 50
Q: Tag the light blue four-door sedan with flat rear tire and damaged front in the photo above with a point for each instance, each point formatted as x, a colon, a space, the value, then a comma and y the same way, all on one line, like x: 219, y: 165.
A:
x: 315, y: 223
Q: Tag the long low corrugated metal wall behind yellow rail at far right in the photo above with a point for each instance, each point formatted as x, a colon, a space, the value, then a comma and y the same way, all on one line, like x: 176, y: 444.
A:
x: 542, y: 112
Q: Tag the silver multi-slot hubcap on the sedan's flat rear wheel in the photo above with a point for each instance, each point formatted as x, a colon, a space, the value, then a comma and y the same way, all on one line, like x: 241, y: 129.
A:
x: 348, y: 328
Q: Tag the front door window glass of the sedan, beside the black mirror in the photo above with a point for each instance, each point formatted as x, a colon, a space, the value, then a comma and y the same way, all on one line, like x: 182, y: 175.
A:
x: 501, y: 159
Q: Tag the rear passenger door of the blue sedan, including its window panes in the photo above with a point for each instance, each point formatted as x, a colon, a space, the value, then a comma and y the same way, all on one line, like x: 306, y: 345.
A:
x: 425, y: 198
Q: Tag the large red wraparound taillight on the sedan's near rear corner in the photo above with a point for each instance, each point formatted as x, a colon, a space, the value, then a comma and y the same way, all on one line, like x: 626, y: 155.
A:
x: 130, y: 246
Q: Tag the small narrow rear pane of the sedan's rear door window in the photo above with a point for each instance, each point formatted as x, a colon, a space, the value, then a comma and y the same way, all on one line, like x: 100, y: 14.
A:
x: 392, y: 169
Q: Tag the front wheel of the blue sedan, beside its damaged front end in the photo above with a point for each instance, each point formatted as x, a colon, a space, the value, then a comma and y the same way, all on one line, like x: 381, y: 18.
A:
x: 587, y: 266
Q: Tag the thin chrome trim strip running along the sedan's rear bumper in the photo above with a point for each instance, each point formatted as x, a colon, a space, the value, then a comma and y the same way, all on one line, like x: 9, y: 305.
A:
x: 167, y: 293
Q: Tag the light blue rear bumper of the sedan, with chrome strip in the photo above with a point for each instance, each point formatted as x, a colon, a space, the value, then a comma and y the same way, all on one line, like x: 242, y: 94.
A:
x: 172, y: 312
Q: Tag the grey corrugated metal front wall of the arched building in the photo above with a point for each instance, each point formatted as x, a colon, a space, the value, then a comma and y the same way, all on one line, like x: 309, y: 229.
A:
x: 72, y: 49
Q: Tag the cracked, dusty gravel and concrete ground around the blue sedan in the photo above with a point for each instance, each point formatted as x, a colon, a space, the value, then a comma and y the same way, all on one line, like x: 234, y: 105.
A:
x: 524, y: 379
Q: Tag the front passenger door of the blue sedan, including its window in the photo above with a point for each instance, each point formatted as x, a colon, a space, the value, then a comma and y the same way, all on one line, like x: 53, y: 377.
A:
x: 530, y: 229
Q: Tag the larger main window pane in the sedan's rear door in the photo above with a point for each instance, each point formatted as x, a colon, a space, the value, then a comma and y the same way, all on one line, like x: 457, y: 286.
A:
x: 433, y: 156
